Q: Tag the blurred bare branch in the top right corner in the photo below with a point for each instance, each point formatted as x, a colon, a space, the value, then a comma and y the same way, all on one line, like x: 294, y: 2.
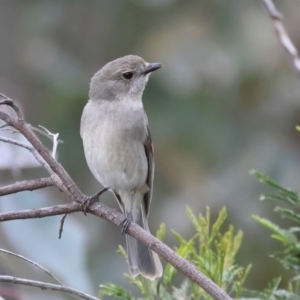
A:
x: 284, y: 38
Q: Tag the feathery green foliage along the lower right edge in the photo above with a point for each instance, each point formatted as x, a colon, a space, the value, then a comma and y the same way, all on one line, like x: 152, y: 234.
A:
x: 289, y: 256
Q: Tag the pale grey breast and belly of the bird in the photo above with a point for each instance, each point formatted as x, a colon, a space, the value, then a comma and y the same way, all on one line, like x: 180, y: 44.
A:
x: 114, y: 149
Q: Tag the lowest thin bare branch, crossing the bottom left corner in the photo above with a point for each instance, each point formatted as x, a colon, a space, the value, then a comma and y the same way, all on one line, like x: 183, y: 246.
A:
x: 47, y: 286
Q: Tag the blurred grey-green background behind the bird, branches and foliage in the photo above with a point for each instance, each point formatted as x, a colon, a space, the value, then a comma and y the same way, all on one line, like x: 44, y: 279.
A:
x: 225, y: 102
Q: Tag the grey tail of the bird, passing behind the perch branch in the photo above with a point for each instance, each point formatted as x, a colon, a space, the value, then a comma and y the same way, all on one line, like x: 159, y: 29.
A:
x: 141, y: 259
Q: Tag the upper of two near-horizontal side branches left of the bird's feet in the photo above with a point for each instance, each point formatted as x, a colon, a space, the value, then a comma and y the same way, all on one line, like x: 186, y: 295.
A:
x: 28, y: 185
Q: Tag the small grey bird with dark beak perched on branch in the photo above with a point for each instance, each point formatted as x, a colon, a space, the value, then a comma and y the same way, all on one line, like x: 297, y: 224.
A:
x: 118, y: 148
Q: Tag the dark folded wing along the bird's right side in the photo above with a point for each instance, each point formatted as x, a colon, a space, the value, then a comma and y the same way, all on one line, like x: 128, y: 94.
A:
x: 150, y: 159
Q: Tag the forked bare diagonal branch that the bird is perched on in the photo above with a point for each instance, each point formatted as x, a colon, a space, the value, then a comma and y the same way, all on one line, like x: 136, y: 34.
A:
x: 100, y: 210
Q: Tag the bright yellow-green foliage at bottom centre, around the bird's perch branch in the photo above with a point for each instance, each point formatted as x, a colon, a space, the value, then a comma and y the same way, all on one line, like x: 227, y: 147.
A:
x: 212, y: 252
